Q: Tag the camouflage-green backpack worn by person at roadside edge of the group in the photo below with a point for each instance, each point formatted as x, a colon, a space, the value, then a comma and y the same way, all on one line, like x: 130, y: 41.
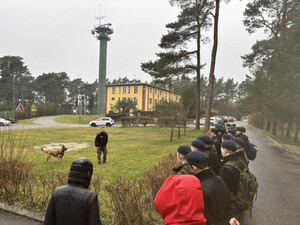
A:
x: 248, y: 187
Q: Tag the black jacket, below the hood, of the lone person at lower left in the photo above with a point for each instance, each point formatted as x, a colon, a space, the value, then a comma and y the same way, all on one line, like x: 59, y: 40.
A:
x: 73, y: 205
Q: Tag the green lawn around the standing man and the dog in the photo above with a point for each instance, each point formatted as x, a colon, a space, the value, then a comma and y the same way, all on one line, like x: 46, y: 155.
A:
x: 131, y: 151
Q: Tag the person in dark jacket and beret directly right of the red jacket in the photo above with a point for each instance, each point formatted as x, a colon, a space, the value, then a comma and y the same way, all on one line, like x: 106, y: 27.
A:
x: 218, y: 207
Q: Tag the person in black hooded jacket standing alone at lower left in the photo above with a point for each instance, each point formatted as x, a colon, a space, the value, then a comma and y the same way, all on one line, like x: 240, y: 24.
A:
x: 74, y: 203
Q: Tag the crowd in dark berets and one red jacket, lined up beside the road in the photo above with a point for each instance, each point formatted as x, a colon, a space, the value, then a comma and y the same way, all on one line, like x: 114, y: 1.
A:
x: 207, y: 182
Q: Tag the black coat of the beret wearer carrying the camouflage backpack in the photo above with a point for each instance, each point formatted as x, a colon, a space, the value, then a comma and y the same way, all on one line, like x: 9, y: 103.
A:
x: 231, y: 175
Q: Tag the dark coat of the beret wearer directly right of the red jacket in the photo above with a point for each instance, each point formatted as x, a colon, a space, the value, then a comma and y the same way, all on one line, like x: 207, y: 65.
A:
x: 218, y: 208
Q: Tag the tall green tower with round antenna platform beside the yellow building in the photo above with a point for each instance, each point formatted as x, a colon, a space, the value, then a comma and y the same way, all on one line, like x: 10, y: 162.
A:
x: 102, y: 33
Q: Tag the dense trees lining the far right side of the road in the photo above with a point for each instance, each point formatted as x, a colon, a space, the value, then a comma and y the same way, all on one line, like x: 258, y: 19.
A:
x: 272, y: 93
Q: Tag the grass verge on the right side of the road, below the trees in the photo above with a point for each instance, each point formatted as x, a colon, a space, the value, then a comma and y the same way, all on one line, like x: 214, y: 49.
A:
x: 285, y: 141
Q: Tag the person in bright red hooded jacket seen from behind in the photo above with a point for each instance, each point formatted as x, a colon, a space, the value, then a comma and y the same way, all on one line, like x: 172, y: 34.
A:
x: 180, y: 201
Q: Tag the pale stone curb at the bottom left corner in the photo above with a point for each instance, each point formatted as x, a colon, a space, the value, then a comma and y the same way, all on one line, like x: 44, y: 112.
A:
x: 23, y: 212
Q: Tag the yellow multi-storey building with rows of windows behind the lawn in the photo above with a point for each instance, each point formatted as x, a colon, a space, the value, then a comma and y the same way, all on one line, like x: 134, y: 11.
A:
x: 145, y: 95
